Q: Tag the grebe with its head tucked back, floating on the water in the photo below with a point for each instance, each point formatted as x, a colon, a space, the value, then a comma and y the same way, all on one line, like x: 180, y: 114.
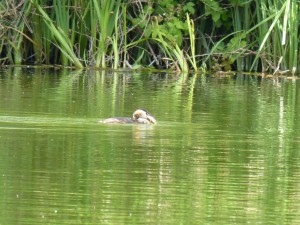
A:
x: 139, y: 116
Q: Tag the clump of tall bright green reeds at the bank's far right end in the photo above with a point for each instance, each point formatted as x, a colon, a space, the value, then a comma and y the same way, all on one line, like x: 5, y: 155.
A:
x: 278, y: 37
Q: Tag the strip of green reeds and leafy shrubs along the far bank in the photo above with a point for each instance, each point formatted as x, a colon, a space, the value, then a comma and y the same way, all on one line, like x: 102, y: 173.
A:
x: 203, y: 35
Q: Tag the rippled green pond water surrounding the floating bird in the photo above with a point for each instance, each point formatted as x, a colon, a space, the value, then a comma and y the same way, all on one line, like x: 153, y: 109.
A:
x: 224, y: 151
